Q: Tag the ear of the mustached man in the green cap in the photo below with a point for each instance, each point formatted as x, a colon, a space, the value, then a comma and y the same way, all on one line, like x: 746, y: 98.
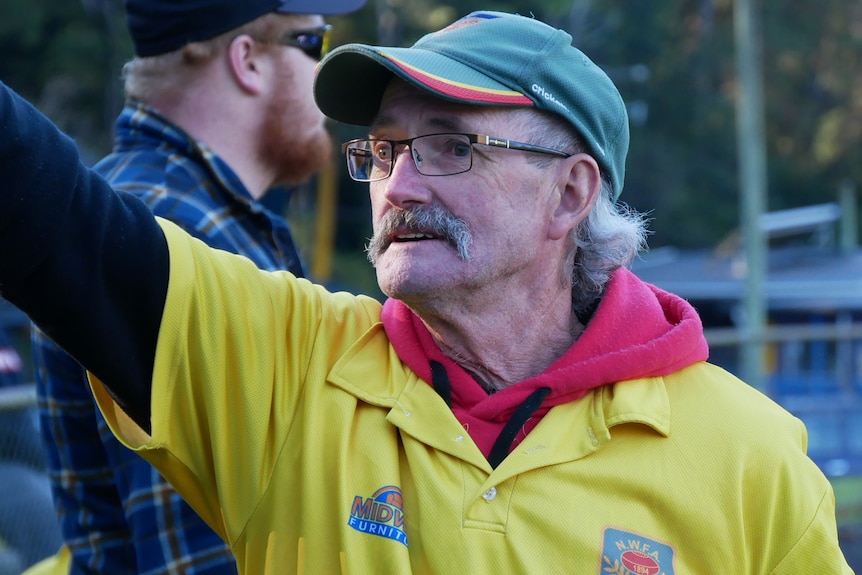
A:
x: 579, y: 188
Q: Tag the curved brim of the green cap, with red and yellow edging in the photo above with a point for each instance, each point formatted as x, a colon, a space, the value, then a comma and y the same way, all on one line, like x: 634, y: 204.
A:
x: 351, y: 80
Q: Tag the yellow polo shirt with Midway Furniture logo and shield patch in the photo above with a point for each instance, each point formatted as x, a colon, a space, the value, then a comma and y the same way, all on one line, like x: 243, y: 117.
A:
x: 282, y: 414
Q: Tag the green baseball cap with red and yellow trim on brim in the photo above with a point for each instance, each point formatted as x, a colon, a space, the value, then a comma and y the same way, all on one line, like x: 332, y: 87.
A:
x: 487, y: 59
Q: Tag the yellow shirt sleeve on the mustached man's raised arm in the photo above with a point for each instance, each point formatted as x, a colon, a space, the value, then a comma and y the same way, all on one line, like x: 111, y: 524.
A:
x: 236, y: 347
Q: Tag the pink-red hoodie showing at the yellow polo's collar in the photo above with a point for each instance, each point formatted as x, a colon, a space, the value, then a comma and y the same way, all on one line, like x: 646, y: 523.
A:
x: 637, y: 331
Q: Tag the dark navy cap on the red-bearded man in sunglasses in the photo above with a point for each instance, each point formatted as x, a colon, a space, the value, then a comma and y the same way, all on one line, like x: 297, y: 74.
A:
x: 161, y: 26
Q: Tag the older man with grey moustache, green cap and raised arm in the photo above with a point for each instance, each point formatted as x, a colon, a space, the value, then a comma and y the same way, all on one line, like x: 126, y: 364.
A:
x: 521, y: 403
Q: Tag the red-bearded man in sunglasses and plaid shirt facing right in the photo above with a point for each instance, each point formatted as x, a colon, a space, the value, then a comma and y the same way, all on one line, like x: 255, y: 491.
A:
x: 219, y: 110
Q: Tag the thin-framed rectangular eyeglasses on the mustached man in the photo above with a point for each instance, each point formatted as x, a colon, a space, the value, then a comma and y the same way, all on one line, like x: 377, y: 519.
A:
x: 370, y: 160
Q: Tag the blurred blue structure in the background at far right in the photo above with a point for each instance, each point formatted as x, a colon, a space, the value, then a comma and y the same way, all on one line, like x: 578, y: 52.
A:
x: 813, y: 291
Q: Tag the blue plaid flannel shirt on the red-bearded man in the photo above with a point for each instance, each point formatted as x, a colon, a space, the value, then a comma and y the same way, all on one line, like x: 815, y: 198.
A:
x: 118, y: 515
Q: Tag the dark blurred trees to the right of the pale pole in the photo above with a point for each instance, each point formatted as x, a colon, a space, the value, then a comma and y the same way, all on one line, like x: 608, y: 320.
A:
x: 814, y: 95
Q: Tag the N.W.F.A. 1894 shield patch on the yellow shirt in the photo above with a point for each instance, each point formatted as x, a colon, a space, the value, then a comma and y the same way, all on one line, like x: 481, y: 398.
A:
x: 626, y: 553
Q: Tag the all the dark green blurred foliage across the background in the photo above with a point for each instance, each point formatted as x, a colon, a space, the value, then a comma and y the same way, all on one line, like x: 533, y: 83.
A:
x: 682, y: 164
